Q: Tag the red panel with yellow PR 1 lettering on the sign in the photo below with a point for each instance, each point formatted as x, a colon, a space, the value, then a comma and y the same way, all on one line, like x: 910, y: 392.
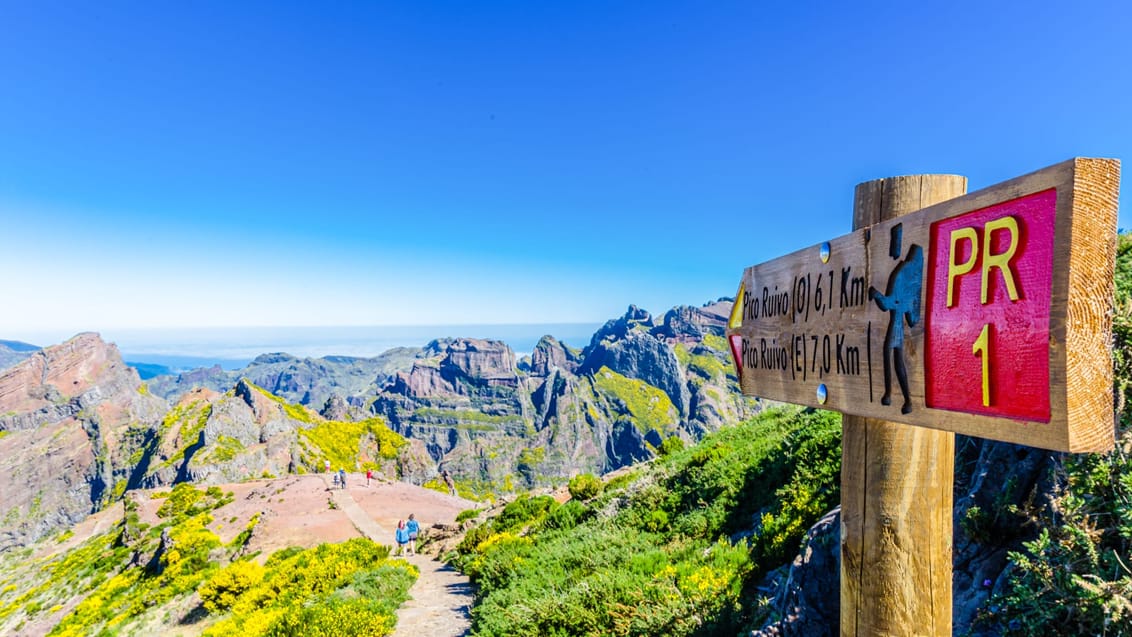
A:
x: 989, y: 304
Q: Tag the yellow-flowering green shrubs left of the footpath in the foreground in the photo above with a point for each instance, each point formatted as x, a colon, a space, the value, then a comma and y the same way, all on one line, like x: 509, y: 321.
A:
x: 348, y: 589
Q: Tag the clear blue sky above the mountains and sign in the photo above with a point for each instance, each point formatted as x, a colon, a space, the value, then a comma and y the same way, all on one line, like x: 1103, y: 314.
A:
x: 425, y: 163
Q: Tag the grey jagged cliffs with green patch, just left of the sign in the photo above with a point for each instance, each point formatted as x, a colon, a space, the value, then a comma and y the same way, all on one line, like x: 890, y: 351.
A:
x: 495, y: 423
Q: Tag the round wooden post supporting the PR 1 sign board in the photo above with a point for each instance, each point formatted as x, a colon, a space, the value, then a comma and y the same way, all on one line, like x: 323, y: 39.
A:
x: 897, y: 481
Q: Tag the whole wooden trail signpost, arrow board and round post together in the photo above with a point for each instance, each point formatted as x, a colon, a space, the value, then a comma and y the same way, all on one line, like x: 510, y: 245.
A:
x: 988, y: 315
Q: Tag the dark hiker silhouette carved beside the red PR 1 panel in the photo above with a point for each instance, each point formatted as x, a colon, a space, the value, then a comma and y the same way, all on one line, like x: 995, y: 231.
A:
x: 902, y: 302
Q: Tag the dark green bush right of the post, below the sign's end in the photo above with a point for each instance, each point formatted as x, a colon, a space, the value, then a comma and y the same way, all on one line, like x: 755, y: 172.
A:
x: 1075, y: 579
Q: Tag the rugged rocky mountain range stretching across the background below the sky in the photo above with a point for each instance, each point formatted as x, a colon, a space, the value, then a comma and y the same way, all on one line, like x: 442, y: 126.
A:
x: 79, y: 427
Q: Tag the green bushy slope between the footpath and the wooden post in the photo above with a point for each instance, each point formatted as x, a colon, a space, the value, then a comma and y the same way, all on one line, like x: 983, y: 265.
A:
x: 667, y: 550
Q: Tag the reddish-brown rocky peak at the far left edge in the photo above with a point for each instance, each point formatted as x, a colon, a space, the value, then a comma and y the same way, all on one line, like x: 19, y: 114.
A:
x: 75, y: 418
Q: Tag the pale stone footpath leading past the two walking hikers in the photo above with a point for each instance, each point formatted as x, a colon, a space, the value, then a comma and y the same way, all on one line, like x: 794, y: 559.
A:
x: 441, y: 600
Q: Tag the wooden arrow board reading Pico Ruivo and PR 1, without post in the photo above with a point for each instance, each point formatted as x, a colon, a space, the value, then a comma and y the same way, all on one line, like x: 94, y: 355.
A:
x: 989, y: 315
